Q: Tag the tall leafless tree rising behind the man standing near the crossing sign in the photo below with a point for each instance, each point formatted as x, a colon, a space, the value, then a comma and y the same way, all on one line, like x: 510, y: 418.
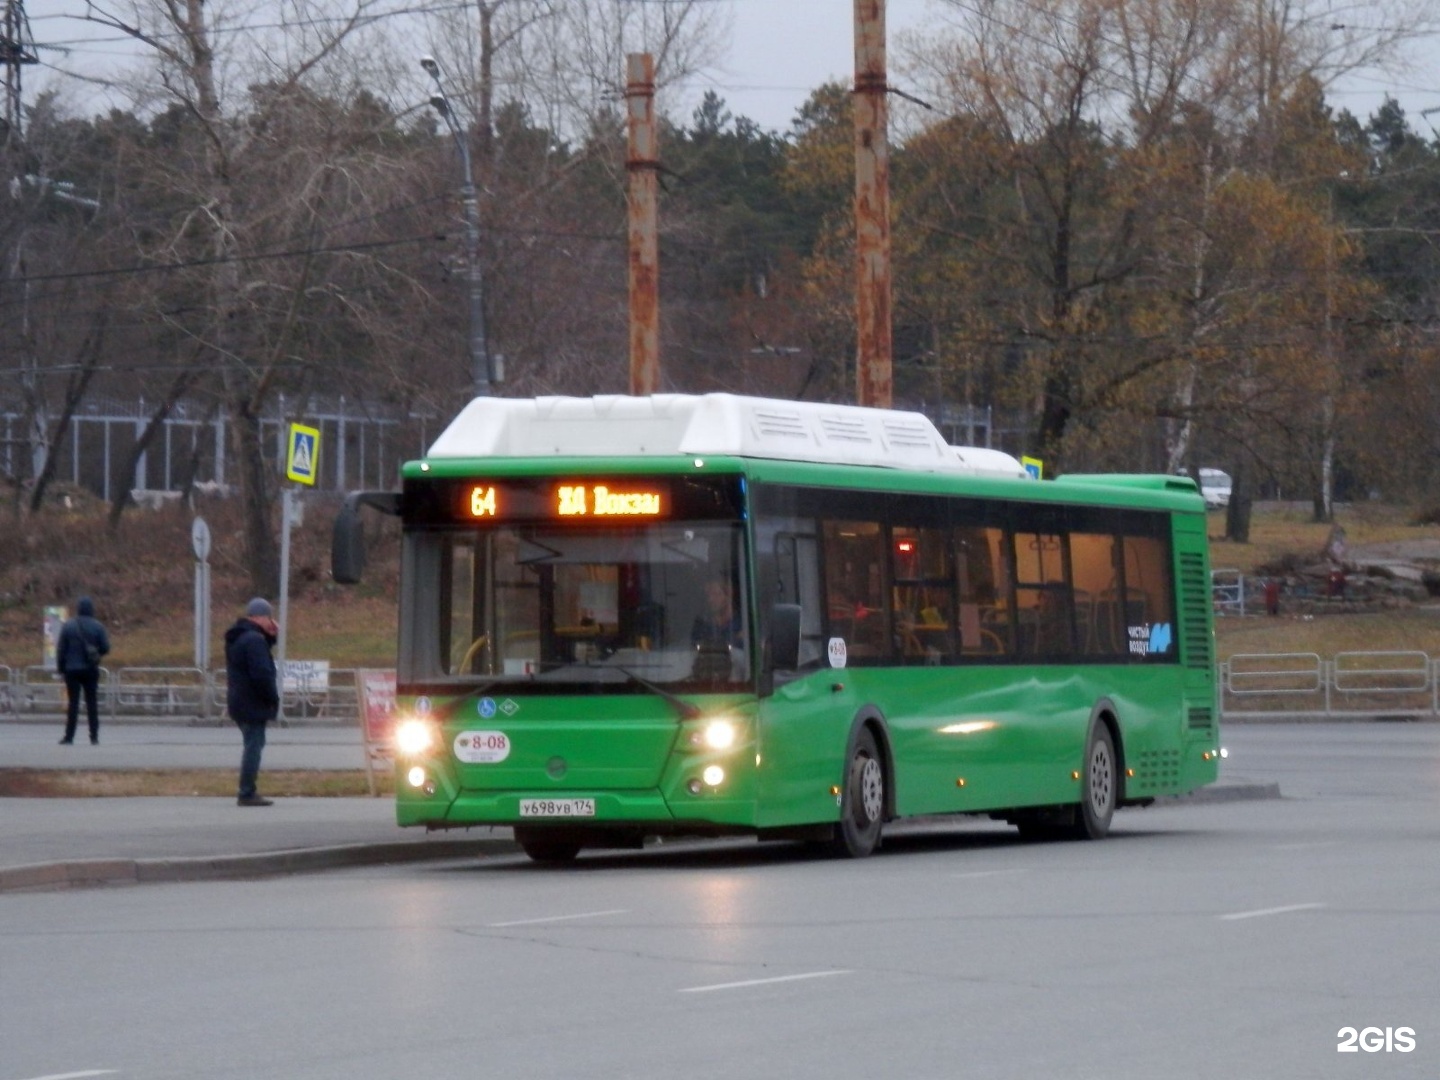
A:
x: 257, y: 169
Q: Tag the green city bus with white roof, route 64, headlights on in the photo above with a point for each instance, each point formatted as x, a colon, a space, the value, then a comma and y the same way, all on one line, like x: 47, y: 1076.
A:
x: 708, y: 616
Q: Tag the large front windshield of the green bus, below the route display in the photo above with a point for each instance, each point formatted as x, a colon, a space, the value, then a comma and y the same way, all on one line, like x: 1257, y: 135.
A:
x: 578, y: 607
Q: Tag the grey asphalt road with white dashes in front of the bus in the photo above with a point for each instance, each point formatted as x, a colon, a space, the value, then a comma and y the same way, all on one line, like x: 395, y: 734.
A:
x: 1229, y: 940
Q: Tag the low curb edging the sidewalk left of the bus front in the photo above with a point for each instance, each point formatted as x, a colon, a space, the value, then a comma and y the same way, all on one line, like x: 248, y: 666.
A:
x: 130, y: 872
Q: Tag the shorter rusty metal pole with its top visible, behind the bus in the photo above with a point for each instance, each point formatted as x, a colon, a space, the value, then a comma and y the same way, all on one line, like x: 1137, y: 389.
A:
x: 643, y: 166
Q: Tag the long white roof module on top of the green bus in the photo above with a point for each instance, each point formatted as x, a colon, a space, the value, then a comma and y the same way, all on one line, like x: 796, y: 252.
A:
x: 714, y: 424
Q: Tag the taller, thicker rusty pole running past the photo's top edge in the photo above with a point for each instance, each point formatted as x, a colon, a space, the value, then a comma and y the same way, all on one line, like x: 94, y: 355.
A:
x: 875, y: 377
